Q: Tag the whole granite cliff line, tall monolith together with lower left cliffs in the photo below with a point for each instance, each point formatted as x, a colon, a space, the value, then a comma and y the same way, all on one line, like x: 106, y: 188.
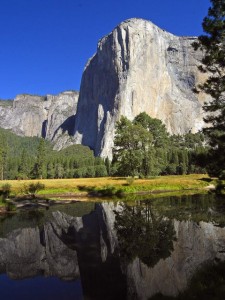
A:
x: 137, y: 67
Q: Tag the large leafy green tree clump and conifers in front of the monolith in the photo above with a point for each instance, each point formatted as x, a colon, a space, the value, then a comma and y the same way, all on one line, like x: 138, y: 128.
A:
x: 144, y: 148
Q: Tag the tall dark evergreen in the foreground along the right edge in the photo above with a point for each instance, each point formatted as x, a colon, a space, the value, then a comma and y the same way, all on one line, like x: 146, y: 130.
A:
x: 213, y: 62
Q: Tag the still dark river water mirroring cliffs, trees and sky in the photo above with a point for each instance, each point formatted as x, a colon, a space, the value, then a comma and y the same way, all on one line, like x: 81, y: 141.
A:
x: 165, y: 248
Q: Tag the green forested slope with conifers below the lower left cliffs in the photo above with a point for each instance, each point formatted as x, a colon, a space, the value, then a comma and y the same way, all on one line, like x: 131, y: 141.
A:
x: 25, y: 157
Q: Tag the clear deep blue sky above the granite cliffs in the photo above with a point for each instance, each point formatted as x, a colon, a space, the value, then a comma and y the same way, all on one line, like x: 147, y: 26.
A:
x: 45, y: 44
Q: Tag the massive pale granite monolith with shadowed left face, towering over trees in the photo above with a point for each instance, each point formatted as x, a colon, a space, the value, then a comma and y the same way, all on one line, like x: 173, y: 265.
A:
x: 139, y: 67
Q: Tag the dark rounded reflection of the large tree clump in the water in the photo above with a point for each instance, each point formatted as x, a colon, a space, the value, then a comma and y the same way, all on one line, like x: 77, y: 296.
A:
x: 141, y: 233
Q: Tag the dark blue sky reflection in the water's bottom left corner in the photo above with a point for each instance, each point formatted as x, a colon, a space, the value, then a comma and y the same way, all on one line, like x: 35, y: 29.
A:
x: 39, y: 288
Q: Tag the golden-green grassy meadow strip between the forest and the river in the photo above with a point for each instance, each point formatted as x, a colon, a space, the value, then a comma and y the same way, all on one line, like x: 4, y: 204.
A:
x: 84, y: 186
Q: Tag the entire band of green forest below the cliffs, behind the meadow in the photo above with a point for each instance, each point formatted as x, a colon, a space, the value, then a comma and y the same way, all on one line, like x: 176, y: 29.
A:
x: 142, y: 148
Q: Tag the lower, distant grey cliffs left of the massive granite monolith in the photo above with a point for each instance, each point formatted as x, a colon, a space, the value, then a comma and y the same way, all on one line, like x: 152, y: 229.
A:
x: 46, y: 117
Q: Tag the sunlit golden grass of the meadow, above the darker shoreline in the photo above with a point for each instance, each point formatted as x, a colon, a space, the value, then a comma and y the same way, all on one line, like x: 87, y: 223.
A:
x: 175, y: 182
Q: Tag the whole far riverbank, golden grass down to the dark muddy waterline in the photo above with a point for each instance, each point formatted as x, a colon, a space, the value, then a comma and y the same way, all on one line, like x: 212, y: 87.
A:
x: 93, y: 189
